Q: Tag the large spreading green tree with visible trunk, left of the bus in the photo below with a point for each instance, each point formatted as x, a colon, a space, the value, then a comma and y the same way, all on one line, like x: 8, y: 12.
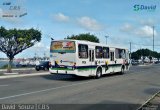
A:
x: 14, y: 41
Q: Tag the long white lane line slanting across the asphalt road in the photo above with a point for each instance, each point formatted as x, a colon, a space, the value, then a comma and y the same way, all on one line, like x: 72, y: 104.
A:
x: 44, y: 90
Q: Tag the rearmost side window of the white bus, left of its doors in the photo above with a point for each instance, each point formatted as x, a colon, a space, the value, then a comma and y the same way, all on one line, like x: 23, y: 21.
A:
x: 83, y: 51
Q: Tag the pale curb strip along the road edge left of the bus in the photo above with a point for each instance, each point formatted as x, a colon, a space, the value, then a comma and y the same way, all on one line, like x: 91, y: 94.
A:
x: 23, y: 75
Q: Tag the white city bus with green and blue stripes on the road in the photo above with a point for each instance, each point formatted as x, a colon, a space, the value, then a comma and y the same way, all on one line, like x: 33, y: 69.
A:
x: 84, y: 58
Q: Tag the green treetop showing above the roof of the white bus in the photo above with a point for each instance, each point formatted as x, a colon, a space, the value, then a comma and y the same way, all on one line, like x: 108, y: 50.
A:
x: 86, y: 36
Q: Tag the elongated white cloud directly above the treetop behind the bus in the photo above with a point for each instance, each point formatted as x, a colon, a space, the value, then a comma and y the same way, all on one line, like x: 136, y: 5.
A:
x: 89, y: 23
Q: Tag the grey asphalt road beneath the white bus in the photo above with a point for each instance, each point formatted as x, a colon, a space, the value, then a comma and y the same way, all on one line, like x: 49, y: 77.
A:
x: 134, y: 87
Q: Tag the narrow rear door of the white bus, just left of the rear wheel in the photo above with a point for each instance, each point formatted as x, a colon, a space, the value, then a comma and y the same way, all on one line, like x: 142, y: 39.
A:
x: 91, y: 60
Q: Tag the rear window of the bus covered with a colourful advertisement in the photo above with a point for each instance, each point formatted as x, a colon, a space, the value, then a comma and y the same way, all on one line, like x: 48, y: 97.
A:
x: 63, y: 46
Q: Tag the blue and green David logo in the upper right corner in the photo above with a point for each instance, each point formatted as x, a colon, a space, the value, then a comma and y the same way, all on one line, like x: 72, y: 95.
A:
x: 149, y: 8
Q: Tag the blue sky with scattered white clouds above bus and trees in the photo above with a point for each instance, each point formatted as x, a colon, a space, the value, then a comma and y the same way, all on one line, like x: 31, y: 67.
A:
x: 60, y: 18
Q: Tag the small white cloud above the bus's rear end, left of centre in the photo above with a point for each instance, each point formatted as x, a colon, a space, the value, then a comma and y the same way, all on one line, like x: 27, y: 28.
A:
x: 61, y: 17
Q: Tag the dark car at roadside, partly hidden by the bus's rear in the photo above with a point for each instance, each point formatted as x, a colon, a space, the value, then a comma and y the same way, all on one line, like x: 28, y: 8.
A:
x: 42, y: 66
